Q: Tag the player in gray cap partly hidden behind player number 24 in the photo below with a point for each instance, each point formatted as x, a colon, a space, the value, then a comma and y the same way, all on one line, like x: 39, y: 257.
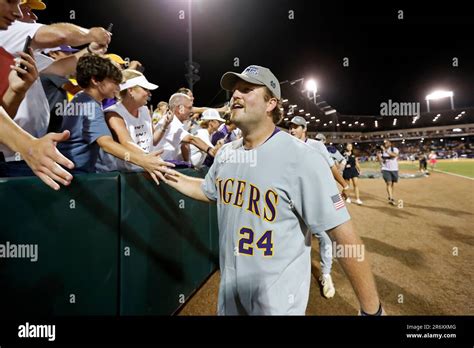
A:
x: 298, y: 130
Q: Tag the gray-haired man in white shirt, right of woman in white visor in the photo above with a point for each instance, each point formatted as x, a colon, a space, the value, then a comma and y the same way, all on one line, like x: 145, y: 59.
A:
x: 172, y: 137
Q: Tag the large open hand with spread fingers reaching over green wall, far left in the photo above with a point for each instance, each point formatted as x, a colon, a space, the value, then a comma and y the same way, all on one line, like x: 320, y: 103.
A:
x: 44, y: 159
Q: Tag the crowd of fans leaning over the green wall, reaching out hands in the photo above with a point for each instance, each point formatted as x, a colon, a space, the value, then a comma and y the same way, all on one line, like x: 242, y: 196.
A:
x: 68, y: 106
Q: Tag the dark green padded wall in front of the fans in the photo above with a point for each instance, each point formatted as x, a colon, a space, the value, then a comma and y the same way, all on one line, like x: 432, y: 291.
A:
x: 110, y: 244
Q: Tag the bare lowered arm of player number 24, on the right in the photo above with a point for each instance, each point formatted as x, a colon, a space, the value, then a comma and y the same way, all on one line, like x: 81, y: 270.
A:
x: 357, y: 269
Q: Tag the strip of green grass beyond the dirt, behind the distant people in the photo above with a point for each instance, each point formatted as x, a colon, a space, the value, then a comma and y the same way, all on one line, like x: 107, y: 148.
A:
x: 464, y: 167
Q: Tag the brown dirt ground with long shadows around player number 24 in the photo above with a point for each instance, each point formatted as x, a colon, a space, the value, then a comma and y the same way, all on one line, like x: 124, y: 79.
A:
x: 411, y: 251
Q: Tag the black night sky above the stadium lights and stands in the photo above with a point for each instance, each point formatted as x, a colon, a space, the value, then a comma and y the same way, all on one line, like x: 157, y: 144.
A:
x: 402, y: 60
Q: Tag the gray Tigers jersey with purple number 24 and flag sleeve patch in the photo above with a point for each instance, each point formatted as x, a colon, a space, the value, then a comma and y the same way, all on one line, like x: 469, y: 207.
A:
x: 263, y: 196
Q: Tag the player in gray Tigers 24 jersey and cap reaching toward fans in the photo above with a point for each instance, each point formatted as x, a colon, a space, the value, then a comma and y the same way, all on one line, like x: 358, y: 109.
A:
x: 266, y: 208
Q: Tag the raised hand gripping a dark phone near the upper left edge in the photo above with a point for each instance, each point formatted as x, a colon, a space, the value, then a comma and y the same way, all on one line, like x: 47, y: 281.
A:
x: 20, y: 80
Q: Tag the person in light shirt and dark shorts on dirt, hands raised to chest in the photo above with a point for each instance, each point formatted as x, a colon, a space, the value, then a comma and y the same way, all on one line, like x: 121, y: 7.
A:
x: 387, y: 156
